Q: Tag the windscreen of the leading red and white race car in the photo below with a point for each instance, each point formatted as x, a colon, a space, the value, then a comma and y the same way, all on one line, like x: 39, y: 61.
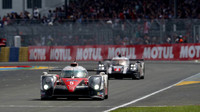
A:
x: 74, y: 73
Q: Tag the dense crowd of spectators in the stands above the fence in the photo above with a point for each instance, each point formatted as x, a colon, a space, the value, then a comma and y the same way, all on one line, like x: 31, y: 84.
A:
x: 80, y: 10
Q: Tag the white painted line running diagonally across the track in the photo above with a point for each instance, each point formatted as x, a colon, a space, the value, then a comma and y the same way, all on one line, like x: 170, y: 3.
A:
x: 136, y: 100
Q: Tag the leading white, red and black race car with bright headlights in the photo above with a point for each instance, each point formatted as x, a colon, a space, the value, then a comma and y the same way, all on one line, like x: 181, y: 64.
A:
x: 74, y: 82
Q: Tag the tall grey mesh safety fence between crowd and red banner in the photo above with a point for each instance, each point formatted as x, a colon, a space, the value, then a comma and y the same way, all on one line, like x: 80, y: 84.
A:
x: 100, y: 32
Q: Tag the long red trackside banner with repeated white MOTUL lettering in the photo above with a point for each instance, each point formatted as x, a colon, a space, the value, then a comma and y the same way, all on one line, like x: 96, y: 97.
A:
x: 100, y: 52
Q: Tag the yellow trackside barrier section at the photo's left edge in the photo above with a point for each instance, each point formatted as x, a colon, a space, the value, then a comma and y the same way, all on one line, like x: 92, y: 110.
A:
x: 4, y: 54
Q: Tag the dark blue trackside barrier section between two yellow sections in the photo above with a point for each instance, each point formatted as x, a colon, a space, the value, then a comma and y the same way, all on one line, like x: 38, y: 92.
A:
x: 14, y: 54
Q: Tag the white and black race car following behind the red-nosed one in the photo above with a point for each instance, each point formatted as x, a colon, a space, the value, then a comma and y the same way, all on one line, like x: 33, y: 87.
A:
x: 122, y: 67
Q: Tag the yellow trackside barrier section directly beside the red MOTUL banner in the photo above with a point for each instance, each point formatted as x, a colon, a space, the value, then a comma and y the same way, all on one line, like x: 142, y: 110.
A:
x: 23, y: 54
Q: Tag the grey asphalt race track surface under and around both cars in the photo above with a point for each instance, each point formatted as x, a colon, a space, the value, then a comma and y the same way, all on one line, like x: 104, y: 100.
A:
x: 20, y: 89
